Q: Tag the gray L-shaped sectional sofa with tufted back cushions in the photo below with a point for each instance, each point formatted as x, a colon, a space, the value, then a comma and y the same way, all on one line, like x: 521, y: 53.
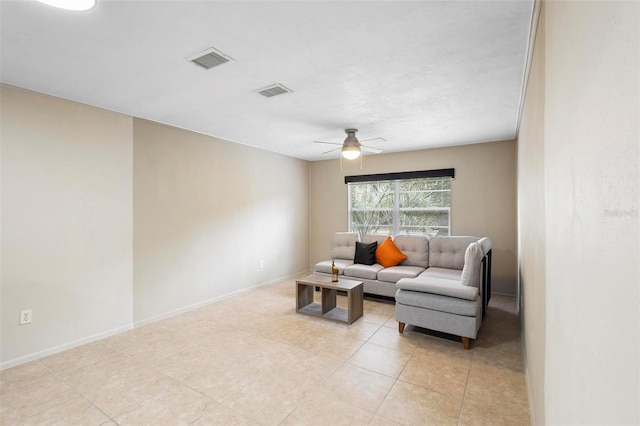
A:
x: 442, y: 285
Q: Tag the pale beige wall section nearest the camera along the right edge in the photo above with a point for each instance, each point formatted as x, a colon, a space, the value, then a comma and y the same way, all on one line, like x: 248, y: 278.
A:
x: 592, y: 199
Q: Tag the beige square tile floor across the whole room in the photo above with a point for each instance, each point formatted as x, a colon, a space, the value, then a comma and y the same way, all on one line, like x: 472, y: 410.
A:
x: 251, y: 360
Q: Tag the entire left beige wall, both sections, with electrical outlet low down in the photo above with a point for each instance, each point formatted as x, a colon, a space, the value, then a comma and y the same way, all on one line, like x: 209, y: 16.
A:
x: 109, y: 221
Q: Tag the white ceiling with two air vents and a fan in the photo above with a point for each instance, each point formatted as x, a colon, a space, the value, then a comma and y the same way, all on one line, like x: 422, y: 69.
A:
x: 419, y: 73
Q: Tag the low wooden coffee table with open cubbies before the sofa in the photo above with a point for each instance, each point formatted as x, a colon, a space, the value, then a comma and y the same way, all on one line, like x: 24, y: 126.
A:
x: 327, y: 308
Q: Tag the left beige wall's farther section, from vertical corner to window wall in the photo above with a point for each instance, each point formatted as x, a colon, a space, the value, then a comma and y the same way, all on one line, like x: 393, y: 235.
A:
x: 206, y: 212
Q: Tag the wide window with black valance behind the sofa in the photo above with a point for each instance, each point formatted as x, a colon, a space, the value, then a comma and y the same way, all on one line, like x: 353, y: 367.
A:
x: 400, y: 204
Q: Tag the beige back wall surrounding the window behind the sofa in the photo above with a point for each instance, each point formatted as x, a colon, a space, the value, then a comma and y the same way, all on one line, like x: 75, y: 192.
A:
x: 483, y: 198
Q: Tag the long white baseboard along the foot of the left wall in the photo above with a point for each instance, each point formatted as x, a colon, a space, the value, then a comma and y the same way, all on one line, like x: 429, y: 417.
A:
x: 70, y: 345
